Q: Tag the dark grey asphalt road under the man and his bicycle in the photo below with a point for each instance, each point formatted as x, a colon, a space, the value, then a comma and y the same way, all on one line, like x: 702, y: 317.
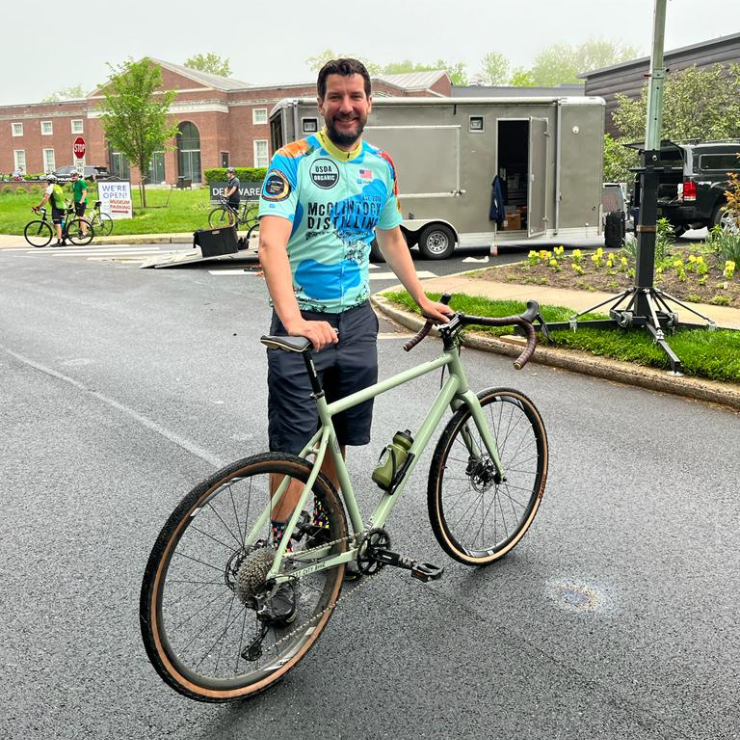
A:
x: 616, y: 616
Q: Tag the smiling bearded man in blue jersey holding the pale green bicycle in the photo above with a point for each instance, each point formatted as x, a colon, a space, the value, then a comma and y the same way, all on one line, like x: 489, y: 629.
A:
x: 323, y: 201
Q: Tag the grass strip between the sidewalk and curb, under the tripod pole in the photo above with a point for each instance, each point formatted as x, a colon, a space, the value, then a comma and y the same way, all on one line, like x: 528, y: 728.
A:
x: 704, y: 354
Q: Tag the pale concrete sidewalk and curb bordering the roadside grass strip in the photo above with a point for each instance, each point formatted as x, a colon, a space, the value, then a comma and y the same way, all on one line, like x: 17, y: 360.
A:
x: 726, y: 394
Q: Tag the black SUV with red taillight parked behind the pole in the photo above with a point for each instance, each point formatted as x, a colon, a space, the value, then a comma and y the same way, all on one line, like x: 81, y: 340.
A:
x: 691, y: 190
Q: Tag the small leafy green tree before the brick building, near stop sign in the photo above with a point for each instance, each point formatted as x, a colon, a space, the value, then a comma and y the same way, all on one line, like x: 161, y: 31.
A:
x: 134, y: 114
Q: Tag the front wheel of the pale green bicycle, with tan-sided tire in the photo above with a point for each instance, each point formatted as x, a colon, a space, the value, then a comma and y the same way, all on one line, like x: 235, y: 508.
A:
x: 475, y: 519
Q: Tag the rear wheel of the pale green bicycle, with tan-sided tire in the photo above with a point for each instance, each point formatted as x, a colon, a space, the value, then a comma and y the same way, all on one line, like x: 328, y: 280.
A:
x: 200, y: 536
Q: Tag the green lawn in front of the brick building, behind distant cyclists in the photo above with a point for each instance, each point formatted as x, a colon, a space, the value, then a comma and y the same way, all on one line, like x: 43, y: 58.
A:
x: 167, y: 211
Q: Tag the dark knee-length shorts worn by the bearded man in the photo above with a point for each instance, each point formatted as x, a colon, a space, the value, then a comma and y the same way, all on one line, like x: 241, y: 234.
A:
x: 343, y: 368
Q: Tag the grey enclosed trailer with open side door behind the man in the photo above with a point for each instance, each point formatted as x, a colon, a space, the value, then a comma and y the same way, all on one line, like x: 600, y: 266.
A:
x: 540, y: 158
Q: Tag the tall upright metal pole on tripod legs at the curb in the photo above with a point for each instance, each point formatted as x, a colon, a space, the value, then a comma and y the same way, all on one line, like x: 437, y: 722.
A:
x: 646, y: 229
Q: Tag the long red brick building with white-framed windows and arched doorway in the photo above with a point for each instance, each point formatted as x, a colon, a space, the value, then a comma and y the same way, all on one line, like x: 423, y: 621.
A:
x: 222, y: 122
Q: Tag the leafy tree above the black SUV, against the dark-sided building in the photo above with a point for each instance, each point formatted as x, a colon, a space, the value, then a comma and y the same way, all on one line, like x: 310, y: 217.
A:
x: 698, y: 103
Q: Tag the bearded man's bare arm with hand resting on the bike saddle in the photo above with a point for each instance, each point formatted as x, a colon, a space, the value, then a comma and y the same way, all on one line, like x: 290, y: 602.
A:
x: 273, y: 256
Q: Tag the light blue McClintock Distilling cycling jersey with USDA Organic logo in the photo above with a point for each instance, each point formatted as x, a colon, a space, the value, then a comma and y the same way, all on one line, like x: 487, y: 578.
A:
x: 335, y: 200
